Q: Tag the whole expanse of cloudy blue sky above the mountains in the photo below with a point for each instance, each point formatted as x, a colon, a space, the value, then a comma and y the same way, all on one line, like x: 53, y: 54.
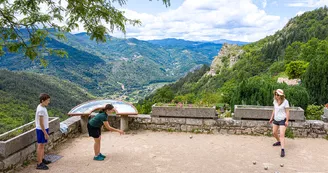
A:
x: 242, y: 20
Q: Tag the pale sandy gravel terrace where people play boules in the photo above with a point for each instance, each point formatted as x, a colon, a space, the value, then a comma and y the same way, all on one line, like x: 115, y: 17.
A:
x: 154, y: 152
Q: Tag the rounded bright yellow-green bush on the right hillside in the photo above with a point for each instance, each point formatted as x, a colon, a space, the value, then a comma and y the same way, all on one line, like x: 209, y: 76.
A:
x: 296, y: 68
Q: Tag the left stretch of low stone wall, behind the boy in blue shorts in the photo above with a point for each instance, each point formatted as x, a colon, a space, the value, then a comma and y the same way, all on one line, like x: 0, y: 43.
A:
x: 23, y: 155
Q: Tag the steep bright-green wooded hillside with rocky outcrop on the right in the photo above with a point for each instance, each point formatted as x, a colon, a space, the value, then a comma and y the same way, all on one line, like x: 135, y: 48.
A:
x: 299, y: 50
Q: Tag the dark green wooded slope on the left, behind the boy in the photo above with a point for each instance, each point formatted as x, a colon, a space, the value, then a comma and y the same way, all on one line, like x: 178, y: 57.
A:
x: 19, y: 97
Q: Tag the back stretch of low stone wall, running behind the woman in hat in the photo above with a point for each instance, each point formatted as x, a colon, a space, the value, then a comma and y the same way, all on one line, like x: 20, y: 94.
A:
x: 309, y: 128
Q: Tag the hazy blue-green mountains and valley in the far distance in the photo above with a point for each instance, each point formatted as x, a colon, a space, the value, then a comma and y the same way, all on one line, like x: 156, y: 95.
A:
x: 104, y: 68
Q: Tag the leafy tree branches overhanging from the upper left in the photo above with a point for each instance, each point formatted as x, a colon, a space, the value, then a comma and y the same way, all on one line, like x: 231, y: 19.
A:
x: 25, y: 28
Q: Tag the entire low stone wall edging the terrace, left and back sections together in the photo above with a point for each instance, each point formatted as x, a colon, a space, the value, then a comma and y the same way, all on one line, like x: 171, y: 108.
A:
x: 310, y: 128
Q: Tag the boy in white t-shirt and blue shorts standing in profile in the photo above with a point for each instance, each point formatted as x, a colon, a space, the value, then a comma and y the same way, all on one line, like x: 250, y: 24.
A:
x: 42, y: 130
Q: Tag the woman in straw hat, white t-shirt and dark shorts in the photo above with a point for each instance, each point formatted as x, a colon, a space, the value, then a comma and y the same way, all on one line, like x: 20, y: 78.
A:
x: 280, y: 118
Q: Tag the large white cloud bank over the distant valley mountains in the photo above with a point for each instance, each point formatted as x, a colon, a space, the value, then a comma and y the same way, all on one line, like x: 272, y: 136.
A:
x: 206, y: 20
